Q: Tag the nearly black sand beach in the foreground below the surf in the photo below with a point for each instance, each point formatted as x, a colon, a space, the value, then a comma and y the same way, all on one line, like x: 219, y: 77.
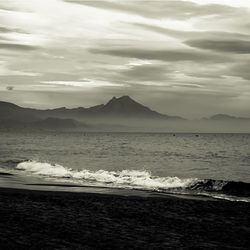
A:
x: 61, y: 220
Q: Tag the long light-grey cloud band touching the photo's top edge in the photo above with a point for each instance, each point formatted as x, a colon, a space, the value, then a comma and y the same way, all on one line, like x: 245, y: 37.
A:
x: 160, y: 9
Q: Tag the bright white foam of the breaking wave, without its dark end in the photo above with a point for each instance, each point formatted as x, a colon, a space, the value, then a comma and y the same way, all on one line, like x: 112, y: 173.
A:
x: 126, y: 178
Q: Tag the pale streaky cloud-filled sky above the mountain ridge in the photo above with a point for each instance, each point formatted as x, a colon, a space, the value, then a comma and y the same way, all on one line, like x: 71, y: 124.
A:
x: 189, y: 58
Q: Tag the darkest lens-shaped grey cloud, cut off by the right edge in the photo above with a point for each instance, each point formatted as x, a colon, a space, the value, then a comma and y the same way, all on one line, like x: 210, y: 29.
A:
x: 232, y: 46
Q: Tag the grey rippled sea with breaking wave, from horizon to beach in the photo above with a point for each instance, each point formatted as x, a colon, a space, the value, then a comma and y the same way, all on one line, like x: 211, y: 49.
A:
x: 216, y: 165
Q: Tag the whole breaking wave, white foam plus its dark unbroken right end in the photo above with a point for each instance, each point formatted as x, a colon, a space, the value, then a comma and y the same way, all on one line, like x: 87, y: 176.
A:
x: 136, y: 179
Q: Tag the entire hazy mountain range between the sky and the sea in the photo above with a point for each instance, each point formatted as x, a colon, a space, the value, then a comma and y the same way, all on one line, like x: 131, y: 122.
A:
x: 118, y: 114
